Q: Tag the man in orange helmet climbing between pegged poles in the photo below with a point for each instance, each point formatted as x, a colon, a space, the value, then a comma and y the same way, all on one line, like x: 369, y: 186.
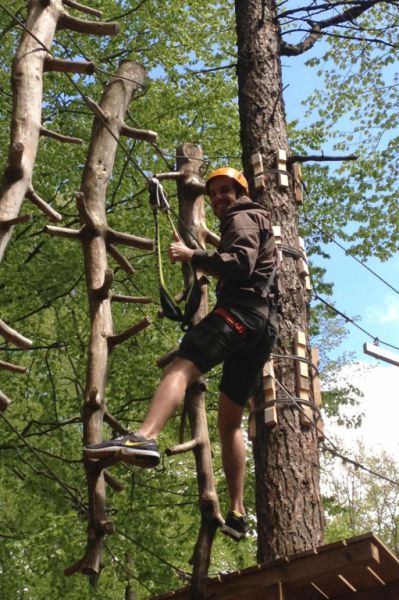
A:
x: 239, y: 332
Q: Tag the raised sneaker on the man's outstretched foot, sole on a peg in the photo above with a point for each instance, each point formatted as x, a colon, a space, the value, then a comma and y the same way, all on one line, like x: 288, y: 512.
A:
x: 132, y: 448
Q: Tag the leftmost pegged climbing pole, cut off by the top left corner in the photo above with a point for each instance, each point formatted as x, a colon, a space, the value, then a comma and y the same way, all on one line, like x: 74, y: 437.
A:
x: 31, y: 61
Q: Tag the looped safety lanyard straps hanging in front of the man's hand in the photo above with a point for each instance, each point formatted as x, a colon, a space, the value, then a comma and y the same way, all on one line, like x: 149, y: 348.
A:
x: 159, y: 203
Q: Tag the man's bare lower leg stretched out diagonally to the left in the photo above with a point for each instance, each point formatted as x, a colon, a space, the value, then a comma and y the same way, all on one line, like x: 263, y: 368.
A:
x: 177, y: 377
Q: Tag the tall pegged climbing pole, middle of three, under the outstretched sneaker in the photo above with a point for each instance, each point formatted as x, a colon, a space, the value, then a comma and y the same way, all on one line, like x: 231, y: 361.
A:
x: 99, y: 240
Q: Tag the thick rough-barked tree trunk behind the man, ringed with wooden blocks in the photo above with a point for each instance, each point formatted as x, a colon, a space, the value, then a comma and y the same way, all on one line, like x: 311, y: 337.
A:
x: 286, y: 456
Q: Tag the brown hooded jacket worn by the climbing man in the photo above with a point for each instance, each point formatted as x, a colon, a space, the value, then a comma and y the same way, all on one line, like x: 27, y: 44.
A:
x: 245, y: 257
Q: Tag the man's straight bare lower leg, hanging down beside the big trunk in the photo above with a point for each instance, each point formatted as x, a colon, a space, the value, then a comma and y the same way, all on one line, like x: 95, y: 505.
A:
x: 233, y: 450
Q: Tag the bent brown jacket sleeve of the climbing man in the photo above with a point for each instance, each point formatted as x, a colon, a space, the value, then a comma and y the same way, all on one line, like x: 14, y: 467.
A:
x: 237, y: 253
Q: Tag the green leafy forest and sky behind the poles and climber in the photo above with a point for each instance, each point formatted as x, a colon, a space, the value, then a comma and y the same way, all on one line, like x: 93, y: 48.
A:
x: 189, y: 52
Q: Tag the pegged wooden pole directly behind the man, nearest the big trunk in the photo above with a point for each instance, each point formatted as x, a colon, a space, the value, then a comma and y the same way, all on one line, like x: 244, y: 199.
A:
x: 194, y: 232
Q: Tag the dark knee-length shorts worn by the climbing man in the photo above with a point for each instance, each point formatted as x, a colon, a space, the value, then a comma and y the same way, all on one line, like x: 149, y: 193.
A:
x: 214, y: 341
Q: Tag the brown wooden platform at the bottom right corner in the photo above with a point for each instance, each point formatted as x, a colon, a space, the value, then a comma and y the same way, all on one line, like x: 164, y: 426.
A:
x: 360, y: 568
